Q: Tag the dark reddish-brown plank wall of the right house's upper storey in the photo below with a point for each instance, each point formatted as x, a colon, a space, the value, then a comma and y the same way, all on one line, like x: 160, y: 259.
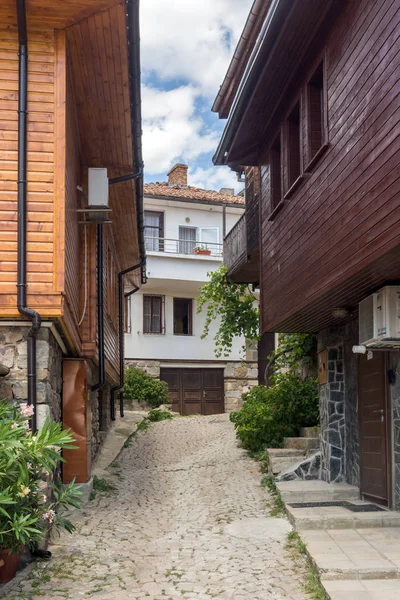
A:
x: 324, y: 246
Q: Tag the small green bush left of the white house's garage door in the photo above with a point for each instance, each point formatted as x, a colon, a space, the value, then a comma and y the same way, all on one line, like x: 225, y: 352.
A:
x: 144, y: 388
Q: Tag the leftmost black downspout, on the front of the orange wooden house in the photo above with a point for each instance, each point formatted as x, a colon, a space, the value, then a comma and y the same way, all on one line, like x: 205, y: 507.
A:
x: 22, y: 206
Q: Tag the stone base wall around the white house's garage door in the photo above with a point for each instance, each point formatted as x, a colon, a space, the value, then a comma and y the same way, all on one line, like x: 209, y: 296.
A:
x: 239, y: 377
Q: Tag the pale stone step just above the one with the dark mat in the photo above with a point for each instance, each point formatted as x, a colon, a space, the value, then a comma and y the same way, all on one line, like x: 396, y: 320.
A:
x: 316, y: 491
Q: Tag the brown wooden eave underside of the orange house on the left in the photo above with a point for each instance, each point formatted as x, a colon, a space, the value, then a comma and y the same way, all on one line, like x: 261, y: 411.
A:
x: 100, y: 36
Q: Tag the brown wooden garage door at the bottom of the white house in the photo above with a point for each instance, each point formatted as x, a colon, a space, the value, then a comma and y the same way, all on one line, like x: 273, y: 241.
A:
x: 195, y: 391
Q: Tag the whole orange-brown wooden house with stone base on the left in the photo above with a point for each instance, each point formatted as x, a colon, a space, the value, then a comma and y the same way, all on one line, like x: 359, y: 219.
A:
x: 83, y: 112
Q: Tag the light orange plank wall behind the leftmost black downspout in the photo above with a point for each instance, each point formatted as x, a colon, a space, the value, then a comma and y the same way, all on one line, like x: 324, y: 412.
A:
x: 41, y: 117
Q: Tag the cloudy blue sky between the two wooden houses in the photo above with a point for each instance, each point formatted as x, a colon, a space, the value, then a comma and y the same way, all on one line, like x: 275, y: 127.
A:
x: 186, y: 49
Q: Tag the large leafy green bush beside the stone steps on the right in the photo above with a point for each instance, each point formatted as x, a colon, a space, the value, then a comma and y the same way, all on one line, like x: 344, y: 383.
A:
x: 270, y: 414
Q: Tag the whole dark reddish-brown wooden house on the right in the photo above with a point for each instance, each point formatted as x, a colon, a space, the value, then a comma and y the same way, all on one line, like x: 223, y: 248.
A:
x: 317, y: 112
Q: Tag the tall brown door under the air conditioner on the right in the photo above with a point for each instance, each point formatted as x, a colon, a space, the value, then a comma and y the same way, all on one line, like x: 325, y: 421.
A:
x: 374, y: 418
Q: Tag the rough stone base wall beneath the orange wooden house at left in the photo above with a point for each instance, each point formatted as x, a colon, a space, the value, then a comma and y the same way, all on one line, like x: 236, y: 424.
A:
x: 14, y: 386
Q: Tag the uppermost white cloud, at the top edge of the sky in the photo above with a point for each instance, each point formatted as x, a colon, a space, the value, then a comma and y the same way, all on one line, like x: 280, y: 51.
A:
x: 191, y: 39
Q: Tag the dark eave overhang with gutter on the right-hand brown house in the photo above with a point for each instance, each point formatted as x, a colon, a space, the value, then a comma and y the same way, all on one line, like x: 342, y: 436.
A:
x: 287, y: 39
